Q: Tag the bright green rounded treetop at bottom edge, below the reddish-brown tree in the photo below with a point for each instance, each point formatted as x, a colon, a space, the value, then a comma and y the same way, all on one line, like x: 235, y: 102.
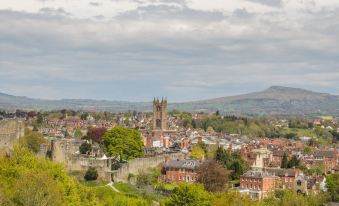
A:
x: 189, y: 195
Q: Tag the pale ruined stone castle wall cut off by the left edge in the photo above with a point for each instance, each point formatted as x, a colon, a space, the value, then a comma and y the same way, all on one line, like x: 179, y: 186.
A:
x: 10, y: 132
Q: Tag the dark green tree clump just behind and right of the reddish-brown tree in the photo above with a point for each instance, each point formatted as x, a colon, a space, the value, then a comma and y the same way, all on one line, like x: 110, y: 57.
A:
x: 232, y: 161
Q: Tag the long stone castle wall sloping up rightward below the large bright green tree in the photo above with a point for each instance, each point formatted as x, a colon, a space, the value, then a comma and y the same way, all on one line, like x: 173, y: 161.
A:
x: 141, y: 164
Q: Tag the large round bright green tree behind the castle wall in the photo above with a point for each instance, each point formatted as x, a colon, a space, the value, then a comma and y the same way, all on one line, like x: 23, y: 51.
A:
x: 123, y: 142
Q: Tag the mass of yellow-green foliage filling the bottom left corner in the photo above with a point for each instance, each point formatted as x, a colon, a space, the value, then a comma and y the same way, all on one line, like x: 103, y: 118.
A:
x: 27, y: 180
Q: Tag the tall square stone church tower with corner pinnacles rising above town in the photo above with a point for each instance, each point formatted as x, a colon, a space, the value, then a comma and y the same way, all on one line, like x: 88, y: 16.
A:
x: 159, y: 114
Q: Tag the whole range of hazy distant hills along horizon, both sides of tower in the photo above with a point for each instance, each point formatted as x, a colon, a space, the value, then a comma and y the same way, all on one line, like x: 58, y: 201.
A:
x: 275, y: 100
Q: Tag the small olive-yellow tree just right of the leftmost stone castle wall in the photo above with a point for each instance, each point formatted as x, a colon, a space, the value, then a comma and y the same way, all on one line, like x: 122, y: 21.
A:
x: 32, y: 140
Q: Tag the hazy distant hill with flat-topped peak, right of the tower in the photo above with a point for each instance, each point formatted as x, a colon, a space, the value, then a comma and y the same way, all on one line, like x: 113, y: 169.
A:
x: 274, y: 100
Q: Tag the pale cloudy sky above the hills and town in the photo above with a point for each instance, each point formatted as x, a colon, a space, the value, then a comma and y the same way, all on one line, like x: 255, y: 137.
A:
x: 182, y: 49
